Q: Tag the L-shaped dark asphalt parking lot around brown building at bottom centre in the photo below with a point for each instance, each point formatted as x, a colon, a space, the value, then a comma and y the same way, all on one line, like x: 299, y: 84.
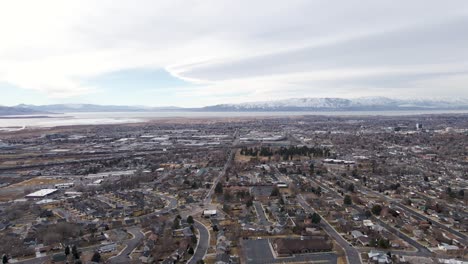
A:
x: 259, y: 252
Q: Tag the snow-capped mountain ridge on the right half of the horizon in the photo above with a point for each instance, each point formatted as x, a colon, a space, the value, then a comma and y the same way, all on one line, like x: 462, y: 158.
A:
x: 364, y: 103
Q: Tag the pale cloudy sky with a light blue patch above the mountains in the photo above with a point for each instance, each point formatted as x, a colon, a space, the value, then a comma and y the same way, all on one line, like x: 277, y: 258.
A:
x: 203, y: 52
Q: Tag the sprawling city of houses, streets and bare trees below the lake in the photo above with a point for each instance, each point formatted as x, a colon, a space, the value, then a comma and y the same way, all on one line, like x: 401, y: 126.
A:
x: 309, y: 189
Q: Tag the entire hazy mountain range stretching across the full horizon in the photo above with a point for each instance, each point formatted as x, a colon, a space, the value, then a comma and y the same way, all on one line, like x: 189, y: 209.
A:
x: 293, y: 104
